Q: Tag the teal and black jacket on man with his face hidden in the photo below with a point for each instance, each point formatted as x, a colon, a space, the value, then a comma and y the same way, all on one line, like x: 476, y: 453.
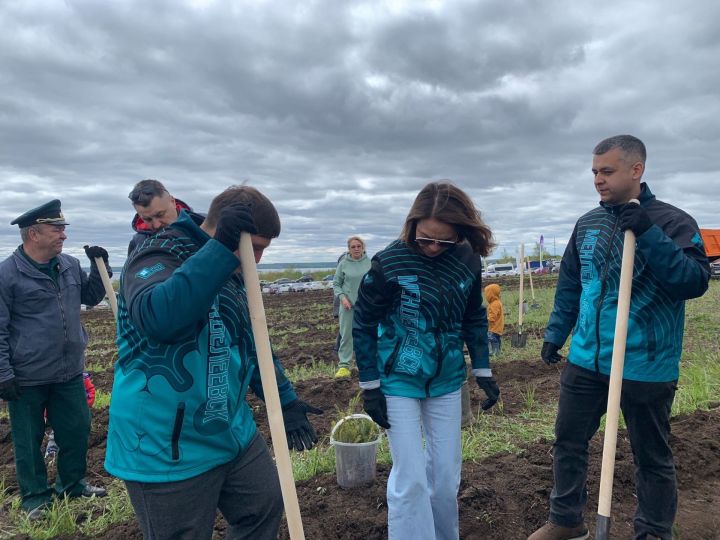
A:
x: 186, y: 357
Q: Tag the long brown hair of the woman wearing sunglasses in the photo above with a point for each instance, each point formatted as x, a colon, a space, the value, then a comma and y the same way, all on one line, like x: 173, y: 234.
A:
x: 448, y: 203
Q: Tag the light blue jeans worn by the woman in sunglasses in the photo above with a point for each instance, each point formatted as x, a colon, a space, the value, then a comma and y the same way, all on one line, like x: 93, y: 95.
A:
x: 423, y: 484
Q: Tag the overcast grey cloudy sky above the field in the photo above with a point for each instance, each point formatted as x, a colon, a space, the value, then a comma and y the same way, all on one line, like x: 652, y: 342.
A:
x: 341, y: 111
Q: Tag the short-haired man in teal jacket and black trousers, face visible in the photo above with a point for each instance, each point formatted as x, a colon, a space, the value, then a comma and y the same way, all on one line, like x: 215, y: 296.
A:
x: 670, y: 267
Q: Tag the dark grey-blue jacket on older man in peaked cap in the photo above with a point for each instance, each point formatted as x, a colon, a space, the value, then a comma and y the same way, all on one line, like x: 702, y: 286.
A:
x: 41, y: 338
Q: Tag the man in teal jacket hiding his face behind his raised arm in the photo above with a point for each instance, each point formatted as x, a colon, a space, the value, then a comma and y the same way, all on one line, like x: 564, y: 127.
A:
x: 181, y: 434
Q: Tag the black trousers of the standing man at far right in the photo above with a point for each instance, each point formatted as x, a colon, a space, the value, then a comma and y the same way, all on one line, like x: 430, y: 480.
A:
x: 646, y: 409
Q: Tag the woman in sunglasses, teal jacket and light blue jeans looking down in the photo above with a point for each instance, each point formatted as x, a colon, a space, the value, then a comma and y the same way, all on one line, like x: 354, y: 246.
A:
x: 417, y: 306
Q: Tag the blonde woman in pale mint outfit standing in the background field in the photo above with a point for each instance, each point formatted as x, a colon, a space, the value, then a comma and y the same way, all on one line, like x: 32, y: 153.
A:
x: 350, y: 271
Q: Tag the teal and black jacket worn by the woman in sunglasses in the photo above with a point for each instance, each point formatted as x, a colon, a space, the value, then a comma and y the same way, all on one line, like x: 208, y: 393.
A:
x: 413, y: 315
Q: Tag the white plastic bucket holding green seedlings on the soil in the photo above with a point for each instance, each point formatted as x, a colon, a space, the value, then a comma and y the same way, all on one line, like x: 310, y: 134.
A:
x: 354, y: 462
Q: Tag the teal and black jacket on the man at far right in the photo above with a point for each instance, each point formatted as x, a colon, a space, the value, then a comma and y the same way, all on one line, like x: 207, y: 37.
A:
x: 670, y: 267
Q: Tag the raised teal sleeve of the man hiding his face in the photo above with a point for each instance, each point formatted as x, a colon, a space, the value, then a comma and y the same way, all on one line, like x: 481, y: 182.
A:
x: 171, y: 309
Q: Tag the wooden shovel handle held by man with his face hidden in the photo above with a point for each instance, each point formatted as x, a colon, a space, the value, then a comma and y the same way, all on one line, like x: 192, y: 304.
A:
x: 269, y: 384
